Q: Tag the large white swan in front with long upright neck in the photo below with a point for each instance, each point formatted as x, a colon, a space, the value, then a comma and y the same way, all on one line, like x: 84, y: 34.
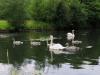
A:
x: 54, y: 46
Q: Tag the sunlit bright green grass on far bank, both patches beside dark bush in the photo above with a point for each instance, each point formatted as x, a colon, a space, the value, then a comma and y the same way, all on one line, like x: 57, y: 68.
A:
x: 29, y: 25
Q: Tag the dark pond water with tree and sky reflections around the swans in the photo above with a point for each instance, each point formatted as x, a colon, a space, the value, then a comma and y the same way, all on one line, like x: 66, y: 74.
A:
x: 26, y: 59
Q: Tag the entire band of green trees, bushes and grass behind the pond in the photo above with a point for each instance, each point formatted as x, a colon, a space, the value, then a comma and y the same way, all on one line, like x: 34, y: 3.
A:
x: 48, y: 14
